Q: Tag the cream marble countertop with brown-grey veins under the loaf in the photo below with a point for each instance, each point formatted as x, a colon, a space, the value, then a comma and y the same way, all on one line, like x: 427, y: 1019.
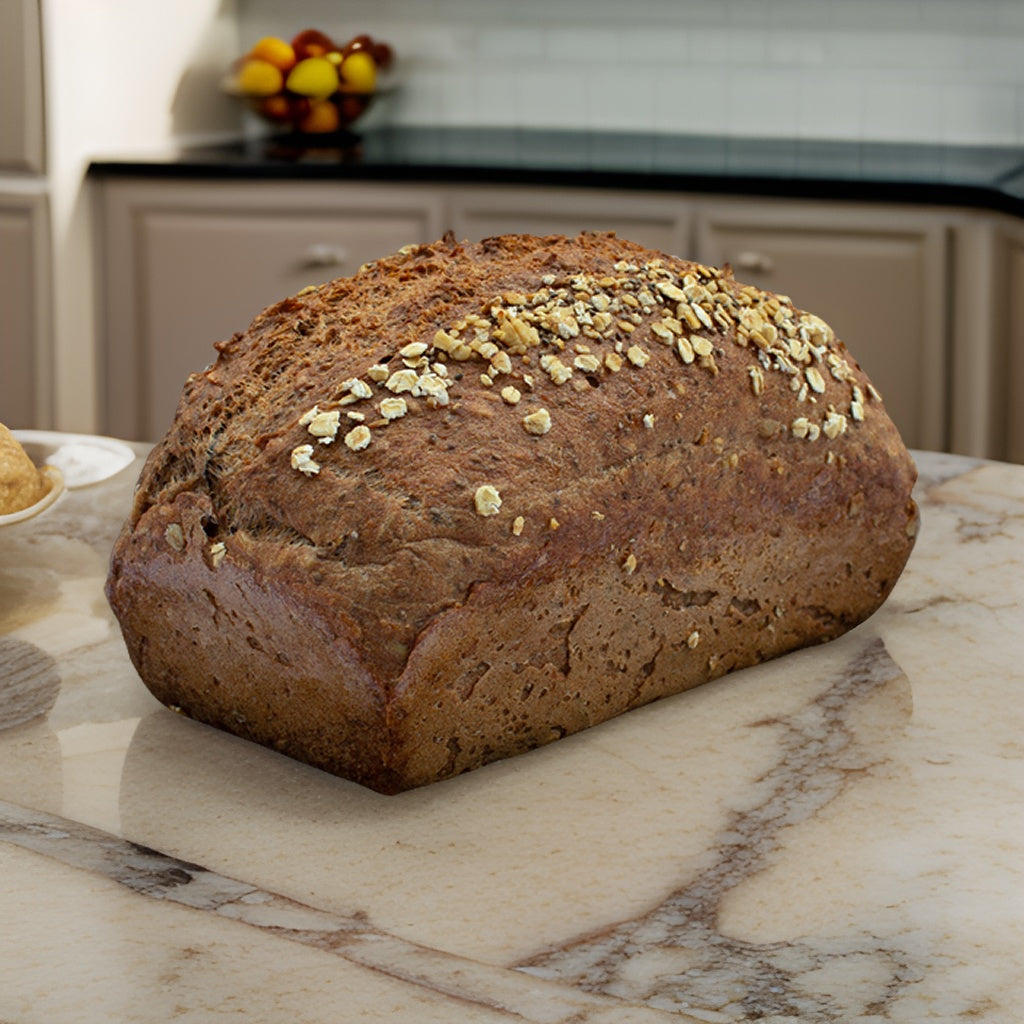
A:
x: 836, y: 836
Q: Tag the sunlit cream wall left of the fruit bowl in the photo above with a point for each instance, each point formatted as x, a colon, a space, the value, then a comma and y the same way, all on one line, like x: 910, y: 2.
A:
x: 118, y: 77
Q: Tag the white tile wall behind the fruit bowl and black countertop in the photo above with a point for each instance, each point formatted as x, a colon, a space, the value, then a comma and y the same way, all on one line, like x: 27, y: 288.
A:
x: 949, y: 71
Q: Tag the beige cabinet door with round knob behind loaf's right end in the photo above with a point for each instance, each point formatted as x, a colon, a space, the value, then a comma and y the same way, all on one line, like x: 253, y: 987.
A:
x: 877, y: 276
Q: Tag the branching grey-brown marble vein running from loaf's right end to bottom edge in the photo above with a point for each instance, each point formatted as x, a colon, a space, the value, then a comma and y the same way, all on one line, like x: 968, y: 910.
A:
x: 697, y: 962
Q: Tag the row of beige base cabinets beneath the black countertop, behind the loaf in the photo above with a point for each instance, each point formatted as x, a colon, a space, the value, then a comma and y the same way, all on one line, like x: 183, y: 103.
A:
x: 187, y: 264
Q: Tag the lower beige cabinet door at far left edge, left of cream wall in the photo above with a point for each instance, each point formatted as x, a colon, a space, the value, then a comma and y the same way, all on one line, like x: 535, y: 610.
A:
x: 25, y: 307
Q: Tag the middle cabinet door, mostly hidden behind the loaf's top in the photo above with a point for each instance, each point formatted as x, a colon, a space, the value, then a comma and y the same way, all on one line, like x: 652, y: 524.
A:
x: 657, y: 222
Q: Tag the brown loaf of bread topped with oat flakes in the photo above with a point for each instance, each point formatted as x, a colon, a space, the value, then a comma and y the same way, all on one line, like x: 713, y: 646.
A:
x: 479, y: 497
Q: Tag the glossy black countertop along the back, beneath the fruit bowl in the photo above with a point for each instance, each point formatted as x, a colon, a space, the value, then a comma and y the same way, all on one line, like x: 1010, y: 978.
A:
x: 991, y: 178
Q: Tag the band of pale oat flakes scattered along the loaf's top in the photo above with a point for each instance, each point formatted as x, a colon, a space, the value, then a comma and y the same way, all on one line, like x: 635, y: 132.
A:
x: 580, y: 328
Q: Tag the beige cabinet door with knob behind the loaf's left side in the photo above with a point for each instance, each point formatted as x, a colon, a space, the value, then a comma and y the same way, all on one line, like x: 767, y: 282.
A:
x: 199, y: 265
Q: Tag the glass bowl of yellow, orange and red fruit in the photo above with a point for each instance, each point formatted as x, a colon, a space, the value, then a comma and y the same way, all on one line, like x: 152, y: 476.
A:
x: 310, y: 86
